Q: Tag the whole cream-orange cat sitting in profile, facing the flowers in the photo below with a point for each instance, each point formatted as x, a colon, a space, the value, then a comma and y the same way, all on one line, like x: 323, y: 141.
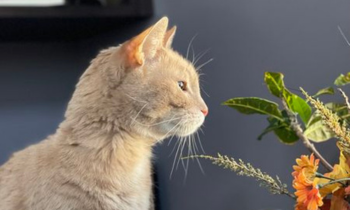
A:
x: 131, y: 97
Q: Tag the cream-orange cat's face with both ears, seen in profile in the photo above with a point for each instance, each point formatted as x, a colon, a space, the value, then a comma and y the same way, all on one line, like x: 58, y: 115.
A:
x: 166, y: 90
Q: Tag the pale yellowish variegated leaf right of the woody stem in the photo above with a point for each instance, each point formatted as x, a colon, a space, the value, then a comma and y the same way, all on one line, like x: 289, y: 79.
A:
x: 318, y: 132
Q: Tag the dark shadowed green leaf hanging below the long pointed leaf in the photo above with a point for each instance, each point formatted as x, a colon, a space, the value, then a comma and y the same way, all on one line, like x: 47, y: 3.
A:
x: 285, y: 133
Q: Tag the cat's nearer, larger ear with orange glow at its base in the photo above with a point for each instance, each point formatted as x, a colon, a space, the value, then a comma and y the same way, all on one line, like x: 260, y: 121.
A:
x: 145, y: 45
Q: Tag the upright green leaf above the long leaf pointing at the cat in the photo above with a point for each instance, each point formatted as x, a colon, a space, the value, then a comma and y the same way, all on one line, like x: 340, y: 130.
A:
x: 274, y: 82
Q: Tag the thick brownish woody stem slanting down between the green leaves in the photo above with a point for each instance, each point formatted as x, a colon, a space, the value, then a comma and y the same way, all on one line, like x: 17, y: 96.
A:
x: 300, y: 133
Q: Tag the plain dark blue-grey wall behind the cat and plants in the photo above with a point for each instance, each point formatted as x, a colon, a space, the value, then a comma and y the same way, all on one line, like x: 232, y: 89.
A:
x: 246, y: 37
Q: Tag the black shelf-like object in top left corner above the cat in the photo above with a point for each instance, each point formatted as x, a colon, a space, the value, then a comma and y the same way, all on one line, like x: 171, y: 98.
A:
x: 68, y: 23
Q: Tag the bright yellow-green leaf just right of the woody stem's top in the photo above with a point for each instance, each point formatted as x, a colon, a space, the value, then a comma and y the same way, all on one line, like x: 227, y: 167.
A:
x: 298, y: 105
